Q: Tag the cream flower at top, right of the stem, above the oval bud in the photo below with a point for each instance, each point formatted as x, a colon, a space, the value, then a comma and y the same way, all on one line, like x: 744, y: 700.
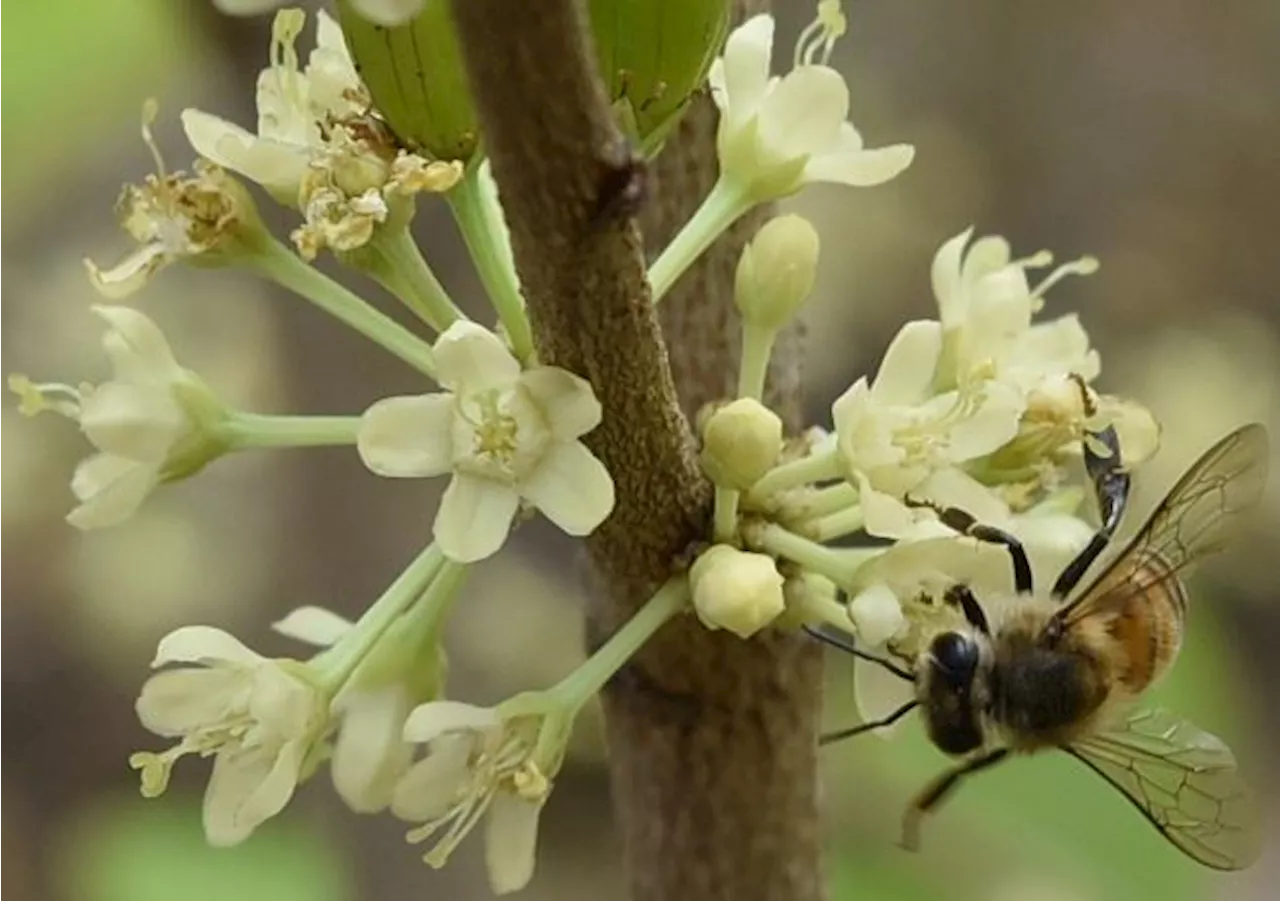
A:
x: 778, y: 135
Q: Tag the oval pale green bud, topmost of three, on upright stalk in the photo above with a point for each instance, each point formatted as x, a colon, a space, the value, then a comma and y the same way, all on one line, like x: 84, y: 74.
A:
x: 776, y: 272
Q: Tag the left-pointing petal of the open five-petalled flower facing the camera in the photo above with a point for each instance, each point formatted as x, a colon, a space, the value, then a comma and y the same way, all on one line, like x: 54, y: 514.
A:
x: 408, y: 437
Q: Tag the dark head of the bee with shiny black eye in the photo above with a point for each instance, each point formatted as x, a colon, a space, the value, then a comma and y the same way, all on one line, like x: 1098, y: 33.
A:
x: 948, y: 687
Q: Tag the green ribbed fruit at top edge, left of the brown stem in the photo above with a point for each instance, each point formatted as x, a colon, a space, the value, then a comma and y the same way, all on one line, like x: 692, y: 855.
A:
x: 414, y: 74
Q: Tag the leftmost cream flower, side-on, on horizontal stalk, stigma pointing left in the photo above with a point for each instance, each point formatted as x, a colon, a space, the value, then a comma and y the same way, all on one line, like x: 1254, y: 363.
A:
x: 153, y: 422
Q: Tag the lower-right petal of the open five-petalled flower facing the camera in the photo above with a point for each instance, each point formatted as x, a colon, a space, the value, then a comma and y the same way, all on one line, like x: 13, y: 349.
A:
x: 572, y: 488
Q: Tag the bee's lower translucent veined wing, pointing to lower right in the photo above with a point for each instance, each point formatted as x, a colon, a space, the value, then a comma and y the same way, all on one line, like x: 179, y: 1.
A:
x: 1183, y: 781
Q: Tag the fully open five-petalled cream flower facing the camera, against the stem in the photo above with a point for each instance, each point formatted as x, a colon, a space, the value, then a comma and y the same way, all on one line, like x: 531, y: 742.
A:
x: 504, y: 433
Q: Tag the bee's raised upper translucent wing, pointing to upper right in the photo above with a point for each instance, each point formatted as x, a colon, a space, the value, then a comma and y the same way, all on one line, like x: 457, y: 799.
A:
x: 1194, y: 522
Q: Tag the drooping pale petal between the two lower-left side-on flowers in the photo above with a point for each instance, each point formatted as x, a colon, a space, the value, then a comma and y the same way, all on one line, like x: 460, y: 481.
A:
x: 371, y: 753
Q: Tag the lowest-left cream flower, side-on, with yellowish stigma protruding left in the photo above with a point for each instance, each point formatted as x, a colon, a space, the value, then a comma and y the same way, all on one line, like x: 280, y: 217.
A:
x: 260, y: 719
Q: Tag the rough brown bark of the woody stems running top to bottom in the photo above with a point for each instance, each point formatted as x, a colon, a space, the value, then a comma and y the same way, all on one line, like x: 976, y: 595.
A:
x: 712, y: 739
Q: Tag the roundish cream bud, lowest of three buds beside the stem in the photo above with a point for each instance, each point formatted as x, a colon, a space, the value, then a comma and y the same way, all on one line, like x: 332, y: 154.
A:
x: 737, y: 591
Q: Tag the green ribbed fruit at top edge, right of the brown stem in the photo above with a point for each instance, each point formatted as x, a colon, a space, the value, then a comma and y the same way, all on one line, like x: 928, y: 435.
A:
x: 653, y: 56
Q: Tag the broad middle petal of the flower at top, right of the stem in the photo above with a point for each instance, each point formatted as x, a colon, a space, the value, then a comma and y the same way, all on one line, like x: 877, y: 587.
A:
x: 803, y: 115
